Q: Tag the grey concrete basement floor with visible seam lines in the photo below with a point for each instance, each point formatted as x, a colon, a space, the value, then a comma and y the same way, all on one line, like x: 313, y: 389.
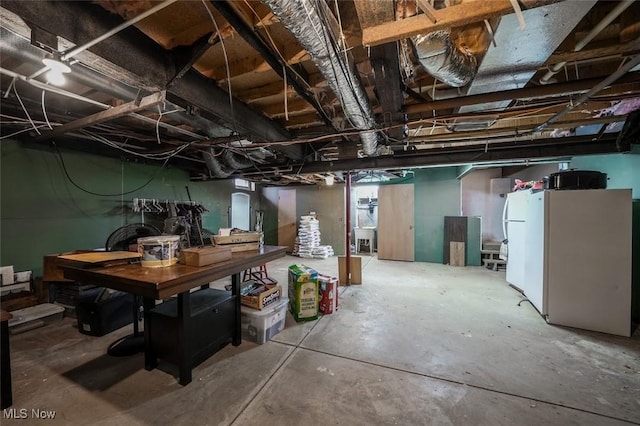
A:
x: 416, y: 344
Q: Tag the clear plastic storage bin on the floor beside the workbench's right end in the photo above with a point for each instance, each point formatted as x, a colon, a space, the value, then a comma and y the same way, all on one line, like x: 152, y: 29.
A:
x: 261, y: 325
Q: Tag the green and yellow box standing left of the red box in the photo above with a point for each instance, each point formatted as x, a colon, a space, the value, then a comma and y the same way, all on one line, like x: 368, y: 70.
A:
x: 303, y: 292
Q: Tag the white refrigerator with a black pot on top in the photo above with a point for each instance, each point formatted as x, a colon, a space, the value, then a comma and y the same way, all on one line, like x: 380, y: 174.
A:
x: 576, y: 256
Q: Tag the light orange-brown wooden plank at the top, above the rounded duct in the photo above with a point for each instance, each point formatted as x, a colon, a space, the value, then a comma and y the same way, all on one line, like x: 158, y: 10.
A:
x: 450, y: 17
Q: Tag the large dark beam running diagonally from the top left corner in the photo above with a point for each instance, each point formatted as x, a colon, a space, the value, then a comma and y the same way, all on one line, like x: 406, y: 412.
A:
x: 139, y: 60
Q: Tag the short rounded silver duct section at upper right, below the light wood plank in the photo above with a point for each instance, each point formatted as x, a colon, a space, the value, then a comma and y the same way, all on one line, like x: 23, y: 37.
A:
x: 440, y: 57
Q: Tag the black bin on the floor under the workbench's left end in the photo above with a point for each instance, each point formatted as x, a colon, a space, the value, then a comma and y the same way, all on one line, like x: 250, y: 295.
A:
x: 98, y: 316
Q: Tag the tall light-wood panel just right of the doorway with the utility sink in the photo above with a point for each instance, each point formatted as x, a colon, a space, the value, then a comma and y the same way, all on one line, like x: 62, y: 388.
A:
x: 396, y: 234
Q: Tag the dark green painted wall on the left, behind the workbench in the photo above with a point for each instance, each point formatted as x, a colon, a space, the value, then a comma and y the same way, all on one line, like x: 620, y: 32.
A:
x: 42, y: 212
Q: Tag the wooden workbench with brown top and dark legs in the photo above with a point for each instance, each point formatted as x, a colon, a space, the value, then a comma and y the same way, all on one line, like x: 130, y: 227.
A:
x: 162, y: 283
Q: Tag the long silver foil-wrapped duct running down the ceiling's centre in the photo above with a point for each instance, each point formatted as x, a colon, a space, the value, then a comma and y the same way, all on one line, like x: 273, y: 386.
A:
x: 313, y: 25
